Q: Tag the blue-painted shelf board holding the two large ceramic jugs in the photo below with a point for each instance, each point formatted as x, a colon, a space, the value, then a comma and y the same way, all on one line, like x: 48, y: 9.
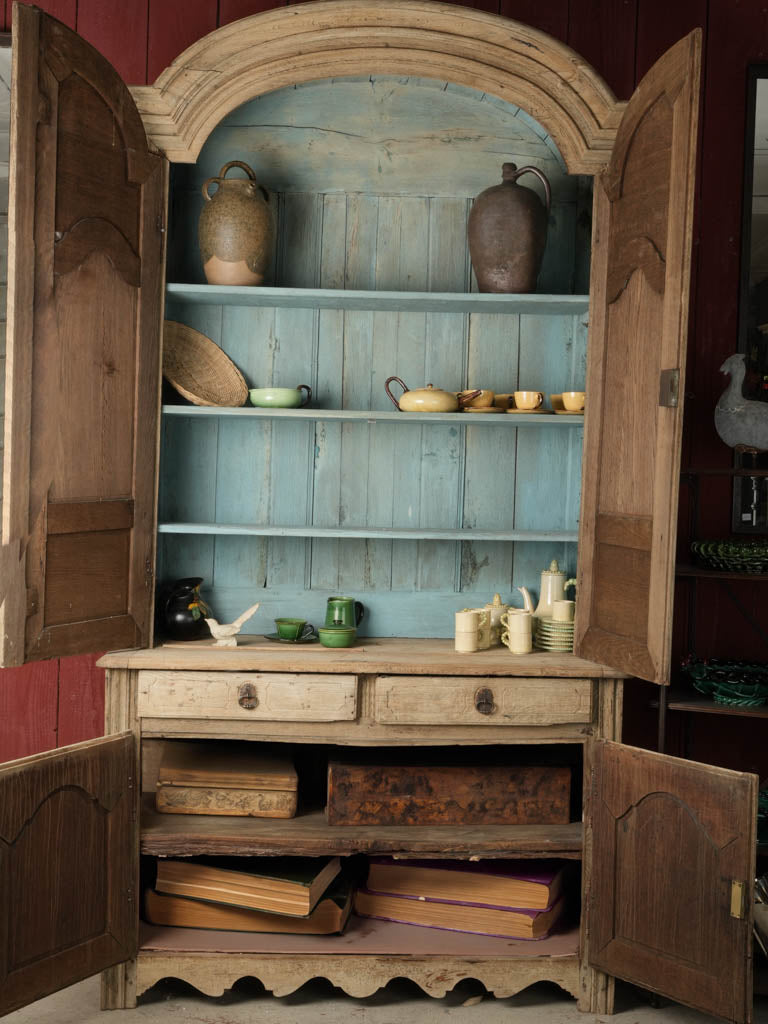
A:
x: 324, y: 298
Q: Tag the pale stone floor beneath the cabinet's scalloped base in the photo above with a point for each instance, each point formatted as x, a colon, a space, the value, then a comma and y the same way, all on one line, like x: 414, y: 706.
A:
x: 319, y: 1002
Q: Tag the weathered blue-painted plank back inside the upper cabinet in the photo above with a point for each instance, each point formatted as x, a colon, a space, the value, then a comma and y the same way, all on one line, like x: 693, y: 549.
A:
x: 374, y: 182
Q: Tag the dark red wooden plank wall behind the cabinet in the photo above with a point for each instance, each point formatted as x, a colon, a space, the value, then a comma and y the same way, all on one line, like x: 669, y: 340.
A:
x: 50, y: 704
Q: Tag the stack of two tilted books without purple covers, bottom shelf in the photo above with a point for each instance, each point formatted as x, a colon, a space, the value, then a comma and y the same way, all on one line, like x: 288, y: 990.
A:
x: 298, y: 895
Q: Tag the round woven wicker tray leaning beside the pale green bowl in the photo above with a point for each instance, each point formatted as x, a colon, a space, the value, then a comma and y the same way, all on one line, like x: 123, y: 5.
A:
x: 199, y: 370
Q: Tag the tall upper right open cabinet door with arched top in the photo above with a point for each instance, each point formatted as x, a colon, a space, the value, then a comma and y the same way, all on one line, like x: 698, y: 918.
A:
x: 644, y: 212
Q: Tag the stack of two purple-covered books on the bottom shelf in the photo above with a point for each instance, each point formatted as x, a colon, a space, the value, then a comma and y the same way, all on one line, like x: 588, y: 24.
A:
x: 503, y: 898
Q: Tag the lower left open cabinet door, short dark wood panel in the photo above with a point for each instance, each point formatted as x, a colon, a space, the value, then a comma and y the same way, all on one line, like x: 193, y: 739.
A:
x: 68, y: 868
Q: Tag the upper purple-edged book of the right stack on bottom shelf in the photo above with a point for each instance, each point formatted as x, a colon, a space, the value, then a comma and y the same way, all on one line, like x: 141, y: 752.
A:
x: 535, y: 886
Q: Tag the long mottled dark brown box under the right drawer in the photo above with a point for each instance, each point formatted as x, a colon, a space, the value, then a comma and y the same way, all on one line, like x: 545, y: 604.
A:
x: 448, y: 794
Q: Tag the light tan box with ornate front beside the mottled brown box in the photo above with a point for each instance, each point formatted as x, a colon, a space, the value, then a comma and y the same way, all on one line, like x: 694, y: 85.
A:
x: 227, y: 779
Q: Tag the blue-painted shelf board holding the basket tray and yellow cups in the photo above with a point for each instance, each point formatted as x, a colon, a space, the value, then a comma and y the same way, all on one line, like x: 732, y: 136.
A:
x: 380, y: 416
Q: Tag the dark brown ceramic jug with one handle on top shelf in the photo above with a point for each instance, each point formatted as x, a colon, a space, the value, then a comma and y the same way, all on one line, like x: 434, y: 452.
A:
x: 507, y: 233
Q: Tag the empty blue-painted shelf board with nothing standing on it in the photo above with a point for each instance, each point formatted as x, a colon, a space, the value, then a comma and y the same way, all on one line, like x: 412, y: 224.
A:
x: 367, y: 533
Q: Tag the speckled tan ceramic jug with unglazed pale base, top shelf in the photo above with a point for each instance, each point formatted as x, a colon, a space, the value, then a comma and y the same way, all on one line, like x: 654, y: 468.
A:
x: 236, y: 230
